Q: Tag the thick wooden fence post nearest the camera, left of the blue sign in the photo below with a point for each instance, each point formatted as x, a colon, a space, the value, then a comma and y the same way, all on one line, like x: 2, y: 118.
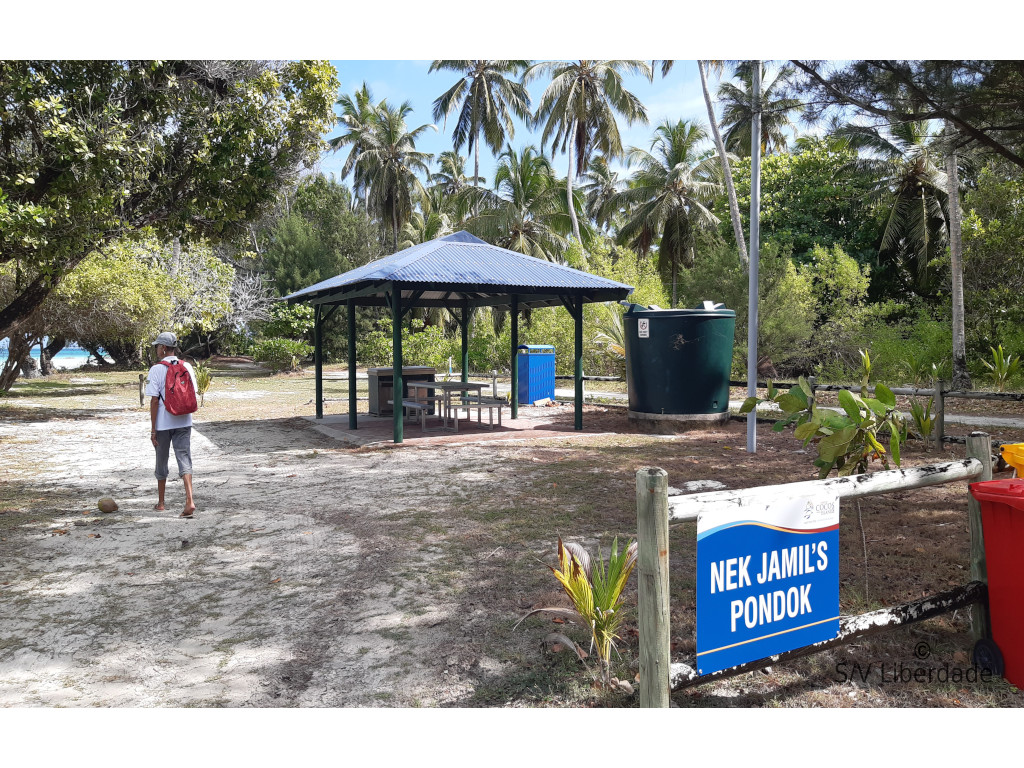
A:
x: 653, y: 538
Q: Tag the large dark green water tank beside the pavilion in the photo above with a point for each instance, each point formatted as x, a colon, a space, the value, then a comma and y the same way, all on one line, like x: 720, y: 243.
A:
x: 678, y: 363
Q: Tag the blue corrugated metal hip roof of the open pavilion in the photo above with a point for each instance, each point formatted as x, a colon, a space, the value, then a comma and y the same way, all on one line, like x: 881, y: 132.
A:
x: 463, y: 261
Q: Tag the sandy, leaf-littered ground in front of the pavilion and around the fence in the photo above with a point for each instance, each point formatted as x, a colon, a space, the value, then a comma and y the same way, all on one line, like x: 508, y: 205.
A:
x: 320, y: 575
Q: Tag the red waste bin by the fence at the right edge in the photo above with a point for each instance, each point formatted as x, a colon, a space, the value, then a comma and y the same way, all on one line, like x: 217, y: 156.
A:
x: 1003, y: 526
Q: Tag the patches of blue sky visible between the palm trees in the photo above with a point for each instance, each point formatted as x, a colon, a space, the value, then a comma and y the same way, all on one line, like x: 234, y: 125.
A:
x: 677, y: 97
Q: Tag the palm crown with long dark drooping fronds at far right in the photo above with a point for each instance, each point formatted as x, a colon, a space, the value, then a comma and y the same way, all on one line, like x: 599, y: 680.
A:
x: 912, y: 190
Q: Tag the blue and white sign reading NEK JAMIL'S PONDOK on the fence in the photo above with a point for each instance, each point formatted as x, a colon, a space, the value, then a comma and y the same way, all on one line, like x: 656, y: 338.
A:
x: 767, y: 578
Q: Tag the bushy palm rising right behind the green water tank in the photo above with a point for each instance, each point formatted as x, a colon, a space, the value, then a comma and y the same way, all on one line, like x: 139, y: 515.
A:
x: 669, y: 195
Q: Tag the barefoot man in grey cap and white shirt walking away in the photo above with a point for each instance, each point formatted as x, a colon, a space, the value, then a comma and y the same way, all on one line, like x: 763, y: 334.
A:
x: 168, y: 430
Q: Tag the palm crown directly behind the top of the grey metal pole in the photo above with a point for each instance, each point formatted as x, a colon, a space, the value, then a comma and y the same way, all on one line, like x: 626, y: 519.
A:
x: 738, y: 111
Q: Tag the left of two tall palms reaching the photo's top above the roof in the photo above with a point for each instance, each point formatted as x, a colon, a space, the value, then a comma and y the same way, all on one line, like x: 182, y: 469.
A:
x: 487, y: 96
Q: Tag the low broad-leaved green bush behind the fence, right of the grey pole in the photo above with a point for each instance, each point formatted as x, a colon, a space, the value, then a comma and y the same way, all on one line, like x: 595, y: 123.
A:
x: 846, y: 442
